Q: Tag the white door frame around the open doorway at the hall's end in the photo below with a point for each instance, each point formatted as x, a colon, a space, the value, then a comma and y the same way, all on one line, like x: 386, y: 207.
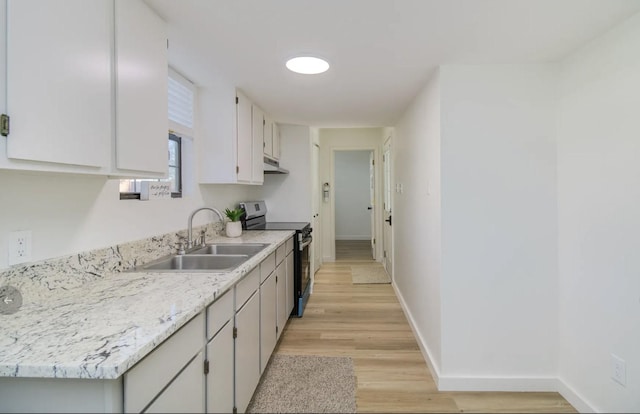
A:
x: 377, y: 212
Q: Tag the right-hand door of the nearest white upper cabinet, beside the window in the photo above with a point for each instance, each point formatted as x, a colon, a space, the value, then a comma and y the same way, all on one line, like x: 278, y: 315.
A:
x: 141, y: 89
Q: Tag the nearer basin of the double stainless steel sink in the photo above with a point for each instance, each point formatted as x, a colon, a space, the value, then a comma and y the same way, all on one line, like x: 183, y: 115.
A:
x: 195, y: 263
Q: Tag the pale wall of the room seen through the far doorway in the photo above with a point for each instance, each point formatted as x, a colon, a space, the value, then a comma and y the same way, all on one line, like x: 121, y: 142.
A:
x: 353, y: 220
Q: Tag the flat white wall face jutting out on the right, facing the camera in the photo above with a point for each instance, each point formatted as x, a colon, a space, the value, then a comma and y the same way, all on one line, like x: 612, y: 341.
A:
x: 499, y: 267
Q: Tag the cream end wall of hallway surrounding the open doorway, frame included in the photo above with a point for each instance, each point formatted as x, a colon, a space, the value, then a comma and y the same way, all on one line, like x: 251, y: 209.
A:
x: 332, y: 139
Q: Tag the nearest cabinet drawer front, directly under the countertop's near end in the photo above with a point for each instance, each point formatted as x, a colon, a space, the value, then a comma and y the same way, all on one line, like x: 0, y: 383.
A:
x: 148, y: 377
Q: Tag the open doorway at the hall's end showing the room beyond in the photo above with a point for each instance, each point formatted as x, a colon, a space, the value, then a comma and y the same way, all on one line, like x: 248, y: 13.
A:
x: 354, y: 191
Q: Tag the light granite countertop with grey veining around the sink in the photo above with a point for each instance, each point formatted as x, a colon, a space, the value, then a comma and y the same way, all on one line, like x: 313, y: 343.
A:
x: 101, y: 328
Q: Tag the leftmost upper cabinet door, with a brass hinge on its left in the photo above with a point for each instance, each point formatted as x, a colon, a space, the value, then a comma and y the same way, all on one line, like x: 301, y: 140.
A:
x: 59, y: 81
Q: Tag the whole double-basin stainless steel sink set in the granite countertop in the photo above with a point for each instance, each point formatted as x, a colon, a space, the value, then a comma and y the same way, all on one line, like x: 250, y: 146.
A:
x: 219, y: 257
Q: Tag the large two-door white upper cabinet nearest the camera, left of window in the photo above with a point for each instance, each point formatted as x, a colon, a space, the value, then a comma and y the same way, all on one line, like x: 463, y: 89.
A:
x: 69, y: 65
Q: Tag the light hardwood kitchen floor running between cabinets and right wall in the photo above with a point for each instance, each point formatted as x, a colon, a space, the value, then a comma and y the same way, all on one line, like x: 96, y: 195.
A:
x: 367, y: 323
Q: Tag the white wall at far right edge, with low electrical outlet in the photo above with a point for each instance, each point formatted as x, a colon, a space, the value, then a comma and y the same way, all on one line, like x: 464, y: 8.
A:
x: 599, y: 220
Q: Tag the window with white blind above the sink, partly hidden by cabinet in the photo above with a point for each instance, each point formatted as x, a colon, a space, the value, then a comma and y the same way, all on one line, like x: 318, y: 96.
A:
x: 181, y: 107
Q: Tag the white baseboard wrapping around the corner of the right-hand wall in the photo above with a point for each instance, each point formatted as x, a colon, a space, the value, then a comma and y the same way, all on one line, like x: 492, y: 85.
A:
x: 445, y: 383
